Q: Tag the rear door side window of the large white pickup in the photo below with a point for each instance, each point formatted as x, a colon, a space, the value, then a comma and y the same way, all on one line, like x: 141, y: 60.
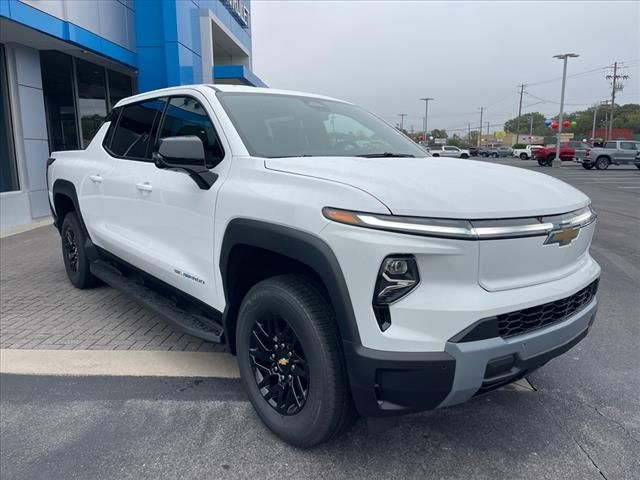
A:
x: 133, y: 133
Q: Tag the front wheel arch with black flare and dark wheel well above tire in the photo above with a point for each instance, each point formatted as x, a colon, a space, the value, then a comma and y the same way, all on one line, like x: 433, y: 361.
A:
x: 253, y: 250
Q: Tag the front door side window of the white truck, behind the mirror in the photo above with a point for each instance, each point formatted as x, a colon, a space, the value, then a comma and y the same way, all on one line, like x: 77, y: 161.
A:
x: 186, y: 116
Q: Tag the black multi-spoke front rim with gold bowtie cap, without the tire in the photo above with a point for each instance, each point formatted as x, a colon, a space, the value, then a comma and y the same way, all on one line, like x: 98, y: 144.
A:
x: 279, y: 365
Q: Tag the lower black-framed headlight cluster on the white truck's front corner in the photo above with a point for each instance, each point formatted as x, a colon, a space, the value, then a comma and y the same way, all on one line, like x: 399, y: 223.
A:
x: 397, y: 277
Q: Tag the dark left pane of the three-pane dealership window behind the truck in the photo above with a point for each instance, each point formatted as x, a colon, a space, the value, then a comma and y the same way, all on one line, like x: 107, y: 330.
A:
x: 57, y: 86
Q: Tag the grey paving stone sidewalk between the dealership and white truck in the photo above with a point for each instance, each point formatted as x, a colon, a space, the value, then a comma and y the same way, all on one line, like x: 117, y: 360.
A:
x: 40, y: 309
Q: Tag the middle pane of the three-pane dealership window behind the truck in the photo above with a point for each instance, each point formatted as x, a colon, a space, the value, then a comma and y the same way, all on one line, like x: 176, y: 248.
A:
x: 92, y: 98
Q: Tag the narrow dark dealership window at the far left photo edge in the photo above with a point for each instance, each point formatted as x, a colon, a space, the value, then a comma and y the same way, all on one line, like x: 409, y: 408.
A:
x: 8, y: 173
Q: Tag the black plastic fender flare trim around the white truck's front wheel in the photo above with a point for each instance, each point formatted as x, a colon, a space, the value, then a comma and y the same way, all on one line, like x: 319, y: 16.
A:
x: 302, y: 247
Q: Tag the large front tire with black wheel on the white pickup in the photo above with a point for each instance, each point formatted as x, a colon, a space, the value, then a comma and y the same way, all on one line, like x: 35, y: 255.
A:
x: 291, y: 362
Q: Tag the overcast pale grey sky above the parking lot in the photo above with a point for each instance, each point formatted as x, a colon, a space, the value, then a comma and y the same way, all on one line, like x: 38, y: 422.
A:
x: 385, y: 55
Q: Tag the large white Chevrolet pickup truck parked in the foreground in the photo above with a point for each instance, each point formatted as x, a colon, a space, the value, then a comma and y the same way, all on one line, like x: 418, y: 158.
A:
x: 348, y: 270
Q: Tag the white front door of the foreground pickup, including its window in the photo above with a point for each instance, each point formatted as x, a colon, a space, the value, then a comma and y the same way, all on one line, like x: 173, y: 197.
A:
x: 177, y: 216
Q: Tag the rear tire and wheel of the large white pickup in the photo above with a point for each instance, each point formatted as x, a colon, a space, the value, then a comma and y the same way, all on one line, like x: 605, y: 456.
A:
x: 74, y: 254
